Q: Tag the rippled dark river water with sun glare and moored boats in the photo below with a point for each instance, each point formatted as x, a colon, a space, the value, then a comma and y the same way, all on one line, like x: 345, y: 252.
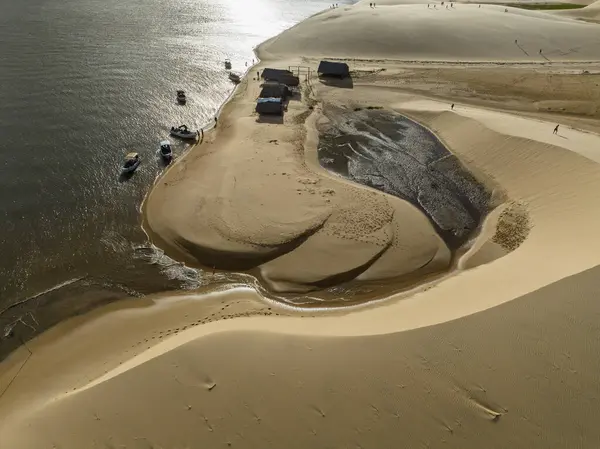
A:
x: 83, y: 82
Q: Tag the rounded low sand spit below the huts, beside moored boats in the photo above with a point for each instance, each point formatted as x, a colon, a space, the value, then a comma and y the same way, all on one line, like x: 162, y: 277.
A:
x: 253, y: 202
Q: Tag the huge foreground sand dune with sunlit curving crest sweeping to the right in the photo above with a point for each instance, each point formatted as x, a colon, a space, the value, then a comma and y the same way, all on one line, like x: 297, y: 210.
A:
x: 512, y: 375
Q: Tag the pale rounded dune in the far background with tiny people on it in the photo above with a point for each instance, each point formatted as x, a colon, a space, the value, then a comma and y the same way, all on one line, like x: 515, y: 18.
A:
x: 415, y: 32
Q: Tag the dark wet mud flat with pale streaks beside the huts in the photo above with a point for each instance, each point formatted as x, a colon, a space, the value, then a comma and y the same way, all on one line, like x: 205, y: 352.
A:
x: 391, y: 153
